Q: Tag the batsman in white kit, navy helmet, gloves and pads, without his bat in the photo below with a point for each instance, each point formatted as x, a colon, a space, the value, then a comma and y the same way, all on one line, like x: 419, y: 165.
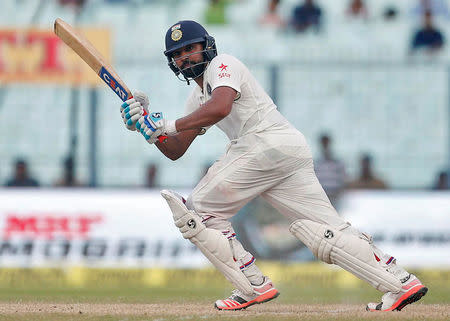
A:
x: 266, y: 156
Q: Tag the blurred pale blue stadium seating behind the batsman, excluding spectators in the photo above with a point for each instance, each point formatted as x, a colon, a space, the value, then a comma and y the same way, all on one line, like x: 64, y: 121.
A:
x: 353, y: 80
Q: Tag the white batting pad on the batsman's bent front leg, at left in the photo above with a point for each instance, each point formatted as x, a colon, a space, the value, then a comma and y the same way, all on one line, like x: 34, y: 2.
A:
x: 210, y: 242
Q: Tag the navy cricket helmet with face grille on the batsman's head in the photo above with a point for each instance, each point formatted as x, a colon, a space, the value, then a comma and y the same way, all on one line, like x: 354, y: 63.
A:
x: 184, y: 33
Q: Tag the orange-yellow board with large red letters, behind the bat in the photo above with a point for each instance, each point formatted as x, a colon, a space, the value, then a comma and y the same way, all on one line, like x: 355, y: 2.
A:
x: 39, y: 56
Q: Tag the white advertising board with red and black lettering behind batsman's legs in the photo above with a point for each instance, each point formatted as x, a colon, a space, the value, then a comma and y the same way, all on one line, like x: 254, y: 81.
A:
x: 122, y: 229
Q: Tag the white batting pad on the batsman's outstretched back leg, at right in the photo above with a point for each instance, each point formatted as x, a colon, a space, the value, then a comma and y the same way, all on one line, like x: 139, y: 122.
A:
x: 352, y: 253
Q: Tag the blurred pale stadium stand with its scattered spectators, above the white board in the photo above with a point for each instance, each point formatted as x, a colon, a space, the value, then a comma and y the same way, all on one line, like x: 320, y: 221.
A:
x: 366, y: 81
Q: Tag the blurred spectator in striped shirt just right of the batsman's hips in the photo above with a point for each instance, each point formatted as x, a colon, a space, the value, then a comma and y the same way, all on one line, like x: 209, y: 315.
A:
x: 330, y: 171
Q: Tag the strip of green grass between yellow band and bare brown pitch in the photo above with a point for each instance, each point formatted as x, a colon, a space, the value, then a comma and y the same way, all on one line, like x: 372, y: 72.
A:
x: 290, y: 294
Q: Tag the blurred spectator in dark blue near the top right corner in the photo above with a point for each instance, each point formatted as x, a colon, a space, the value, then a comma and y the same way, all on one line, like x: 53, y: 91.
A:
x: 428, y: 37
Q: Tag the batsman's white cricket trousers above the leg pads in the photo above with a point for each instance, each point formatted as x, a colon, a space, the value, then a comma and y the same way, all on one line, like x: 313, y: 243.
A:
x: 276, y: 164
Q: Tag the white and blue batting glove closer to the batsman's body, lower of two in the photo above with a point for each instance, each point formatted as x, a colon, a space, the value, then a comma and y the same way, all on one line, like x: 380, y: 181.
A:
x: 153, y: 125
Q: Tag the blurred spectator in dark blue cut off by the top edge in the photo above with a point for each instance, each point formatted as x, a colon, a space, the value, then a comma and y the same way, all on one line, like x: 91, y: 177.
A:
x: 307, y: 16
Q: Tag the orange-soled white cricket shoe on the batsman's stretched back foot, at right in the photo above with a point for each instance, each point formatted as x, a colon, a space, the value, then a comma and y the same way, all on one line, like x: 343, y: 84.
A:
x: 411, y: 291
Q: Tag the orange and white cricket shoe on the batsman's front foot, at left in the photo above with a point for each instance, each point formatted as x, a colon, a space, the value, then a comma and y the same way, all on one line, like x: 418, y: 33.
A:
x: 238, y: 300
